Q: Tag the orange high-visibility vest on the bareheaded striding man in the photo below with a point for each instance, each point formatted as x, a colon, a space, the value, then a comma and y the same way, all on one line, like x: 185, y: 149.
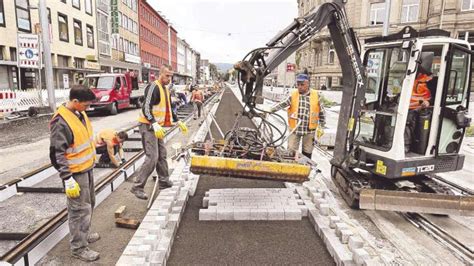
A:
x: 161, y: 111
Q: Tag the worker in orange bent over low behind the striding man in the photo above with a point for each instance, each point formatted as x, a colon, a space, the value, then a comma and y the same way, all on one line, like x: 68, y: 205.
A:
x: 108, y: 142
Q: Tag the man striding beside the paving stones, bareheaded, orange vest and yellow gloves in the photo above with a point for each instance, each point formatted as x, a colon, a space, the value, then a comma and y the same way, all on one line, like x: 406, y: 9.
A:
x: 156, y: 113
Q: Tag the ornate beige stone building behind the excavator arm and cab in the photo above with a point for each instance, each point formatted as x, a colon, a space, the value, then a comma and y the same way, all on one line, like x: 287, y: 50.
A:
x: 318, y: 56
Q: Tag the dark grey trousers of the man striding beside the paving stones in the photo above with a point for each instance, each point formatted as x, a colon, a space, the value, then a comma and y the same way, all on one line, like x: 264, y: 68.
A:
x: 155, y: 157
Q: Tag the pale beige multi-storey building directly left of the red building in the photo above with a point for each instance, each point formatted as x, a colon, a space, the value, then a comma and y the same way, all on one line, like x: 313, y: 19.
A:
x: 125, y: 38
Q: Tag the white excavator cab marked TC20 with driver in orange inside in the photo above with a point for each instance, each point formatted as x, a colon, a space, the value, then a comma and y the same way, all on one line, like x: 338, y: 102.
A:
x: 414, y: 110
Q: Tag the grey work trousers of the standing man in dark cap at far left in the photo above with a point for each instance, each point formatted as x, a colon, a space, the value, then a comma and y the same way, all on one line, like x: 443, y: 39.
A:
x: 80, y: 211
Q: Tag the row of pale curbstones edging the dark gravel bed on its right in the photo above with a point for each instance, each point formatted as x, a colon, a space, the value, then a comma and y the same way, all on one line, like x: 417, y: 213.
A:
x: 341, y: 239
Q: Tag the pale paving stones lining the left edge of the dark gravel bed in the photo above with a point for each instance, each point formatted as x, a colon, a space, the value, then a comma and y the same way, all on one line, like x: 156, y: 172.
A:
x: 151, y: 244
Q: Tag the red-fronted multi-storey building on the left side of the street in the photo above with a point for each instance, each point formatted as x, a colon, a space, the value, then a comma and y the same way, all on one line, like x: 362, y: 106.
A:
x: 154, y: 41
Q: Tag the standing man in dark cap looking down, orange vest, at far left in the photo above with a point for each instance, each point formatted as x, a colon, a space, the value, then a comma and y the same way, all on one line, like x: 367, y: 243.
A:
x: 72, y: 153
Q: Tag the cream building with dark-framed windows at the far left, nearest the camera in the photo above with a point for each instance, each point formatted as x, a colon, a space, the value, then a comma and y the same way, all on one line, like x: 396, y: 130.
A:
x: 73, y: 40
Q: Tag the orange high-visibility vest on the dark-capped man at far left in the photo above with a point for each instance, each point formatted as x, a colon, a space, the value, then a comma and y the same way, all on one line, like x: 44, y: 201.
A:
x: 81, y: 154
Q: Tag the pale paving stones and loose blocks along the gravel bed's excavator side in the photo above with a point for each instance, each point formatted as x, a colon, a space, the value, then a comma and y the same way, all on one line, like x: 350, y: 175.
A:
x: 346, y: 241
